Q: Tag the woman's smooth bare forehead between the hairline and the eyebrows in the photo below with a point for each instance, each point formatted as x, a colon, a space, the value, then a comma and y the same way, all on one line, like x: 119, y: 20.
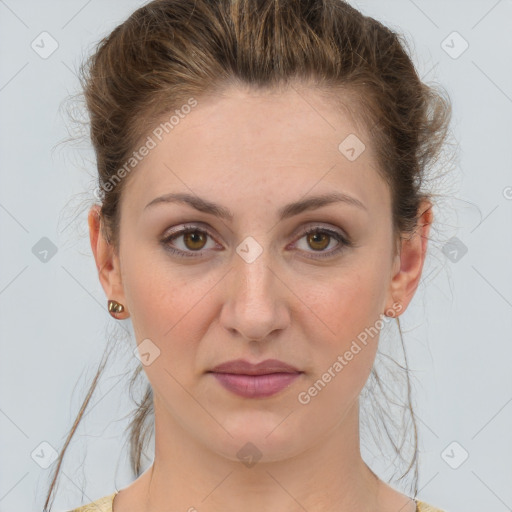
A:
x: 248, y: 142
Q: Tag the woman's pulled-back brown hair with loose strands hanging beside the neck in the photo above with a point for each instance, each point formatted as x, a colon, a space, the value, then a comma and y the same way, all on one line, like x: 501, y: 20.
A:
x: 169, y: 51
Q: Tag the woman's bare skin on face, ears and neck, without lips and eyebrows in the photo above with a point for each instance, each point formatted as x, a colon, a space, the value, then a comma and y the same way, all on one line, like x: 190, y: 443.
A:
x: 253, y: 152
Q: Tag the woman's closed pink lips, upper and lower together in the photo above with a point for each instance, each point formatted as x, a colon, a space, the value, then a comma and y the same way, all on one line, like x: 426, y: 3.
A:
x: 255, y: 380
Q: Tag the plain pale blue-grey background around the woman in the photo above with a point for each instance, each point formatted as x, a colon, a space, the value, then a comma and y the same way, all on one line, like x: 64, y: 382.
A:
x: 54, y: 321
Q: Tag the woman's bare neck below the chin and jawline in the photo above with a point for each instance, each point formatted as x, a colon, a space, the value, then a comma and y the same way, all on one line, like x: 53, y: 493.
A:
x: 330, y: 475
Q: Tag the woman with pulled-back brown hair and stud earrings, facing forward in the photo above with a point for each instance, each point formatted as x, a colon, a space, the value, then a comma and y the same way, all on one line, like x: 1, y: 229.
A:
x: 261, y: 218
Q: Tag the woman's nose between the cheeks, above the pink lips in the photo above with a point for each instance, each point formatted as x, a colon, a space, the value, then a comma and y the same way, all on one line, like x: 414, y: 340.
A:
x: 255, y: 306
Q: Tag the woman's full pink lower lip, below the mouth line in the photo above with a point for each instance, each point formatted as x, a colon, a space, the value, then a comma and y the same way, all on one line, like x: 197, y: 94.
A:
x: 255, y: 386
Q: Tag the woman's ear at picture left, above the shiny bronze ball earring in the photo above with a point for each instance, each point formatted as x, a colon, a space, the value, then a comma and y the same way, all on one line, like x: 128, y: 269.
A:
x: 107, y: 261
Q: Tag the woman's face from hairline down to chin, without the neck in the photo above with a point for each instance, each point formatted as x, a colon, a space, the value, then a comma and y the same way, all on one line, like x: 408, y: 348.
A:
x: 247, y: 282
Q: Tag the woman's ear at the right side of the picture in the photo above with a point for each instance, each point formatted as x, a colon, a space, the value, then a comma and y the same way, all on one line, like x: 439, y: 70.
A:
x: 409, y: 262
